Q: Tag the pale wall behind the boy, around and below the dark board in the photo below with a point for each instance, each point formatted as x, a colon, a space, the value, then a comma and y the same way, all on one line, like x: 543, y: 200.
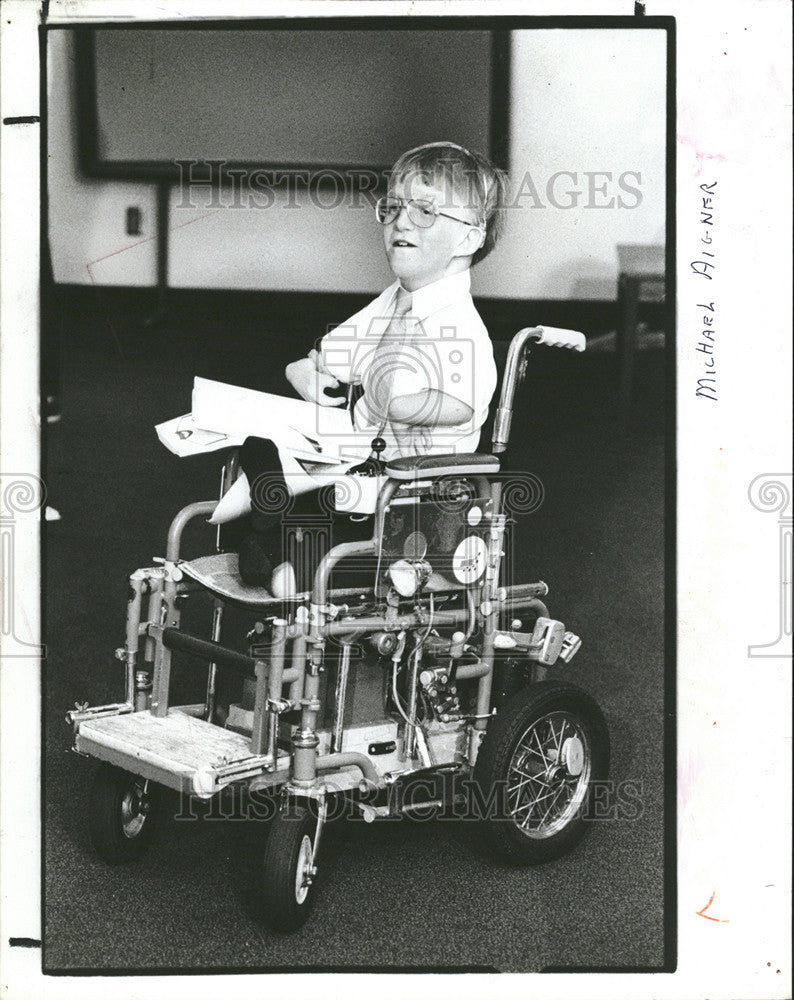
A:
x: 583, y: 100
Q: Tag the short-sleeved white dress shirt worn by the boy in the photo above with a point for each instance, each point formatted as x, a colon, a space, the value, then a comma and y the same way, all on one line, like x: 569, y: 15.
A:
x: 447, y: 349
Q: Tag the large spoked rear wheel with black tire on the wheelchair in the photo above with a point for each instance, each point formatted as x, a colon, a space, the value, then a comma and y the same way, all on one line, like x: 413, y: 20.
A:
x: 542, y: 754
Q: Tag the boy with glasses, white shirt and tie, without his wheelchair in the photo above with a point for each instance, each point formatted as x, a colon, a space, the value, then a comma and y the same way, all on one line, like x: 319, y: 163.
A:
x: 418, y: 355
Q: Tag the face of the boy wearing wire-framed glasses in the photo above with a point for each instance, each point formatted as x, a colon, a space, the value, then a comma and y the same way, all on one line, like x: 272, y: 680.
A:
x: 419, y: 256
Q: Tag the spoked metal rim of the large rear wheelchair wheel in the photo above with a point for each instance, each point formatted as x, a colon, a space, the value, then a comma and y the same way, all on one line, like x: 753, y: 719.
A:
x: 548, y: 775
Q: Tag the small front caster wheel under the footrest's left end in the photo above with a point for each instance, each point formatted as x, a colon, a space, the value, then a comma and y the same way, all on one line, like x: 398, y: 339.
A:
x: 121, y: 814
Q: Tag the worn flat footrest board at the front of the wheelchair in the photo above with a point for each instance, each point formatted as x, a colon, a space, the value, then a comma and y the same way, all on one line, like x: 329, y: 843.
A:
x: 178, y: 751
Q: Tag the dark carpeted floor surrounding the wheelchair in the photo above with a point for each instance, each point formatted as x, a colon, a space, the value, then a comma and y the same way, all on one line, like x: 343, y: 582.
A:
x: 404, y: 894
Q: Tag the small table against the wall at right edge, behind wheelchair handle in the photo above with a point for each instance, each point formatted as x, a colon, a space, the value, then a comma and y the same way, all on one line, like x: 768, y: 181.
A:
x: 640, y: 279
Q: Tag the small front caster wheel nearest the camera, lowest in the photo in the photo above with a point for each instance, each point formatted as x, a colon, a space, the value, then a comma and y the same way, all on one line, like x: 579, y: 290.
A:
x: 288, y: 870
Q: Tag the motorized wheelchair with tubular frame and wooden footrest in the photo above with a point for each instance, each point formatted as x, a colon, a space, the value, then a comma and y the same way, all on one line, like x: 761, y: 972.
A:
x: 435, y: 686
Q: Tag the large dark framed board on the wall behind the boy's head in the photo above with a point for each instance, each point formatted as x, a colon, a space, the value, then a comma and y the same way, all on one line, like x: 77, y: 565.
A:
x: 286, y: 99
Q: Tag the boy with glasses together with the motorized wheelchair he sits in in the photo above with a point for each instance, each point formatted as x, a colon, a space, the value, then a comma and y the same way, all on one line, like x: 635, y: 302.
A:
x: 458, y: 687
